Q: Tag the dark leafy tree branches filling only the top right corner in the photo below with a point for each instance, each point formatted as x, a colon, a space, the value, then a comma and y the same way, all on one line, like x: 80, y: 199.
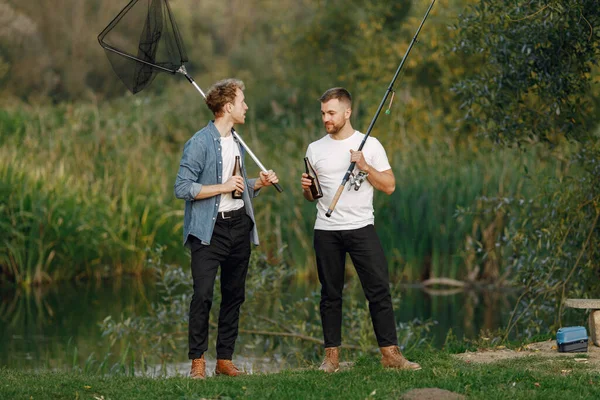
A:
x: 533, y: 64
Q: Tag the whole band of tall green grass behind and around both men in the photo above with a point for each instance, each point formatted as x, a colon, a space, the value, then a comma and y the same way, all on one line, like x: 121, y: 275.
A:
x: 88, y: 188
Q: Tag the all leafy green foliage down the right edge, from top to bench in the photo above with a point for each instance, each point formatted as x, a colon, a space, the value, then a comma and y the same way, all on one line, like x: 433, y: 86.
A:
x: 535, y: 80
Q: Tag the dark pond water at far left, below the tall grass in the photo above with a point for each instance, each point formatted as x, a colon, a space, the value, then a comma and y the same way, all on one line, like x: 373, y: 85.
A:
x: 41, y: 327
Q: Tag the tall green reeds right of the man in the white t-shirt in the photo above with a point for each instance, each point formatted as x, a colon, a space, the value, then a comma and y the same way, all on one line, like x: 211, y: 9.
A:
x: 419, y: 224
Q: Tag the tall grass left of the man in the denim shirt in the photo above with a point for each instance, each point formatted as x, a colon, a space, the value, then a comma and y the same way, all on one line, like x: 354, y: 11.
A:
x: 84, y: 193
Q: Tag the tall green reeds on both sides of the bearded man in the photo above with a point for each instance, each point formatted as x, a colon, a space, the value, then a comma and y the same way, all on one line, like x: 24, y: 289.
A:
x: 421, y: 231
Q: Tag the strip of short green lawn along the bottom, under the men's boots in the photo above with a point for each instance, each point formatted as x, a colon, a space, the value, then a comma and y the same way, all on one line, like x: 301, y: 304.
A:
x: 516, y: 379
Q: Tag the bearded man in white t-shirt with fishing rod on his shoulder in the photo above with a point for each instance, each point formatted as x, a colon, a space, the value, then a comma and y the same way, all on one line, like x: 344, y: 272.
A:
x: 350, y: 229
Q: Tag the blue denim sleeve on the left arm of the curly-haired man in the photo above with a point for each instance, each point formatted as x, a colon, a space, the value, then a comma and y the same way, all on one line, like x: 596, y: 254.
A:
x: 190, y: 168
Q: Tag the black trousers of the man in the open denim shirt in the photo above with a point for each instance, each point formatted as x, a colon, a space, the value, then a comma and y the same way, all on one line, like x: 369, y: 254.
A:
x: 230, y: 248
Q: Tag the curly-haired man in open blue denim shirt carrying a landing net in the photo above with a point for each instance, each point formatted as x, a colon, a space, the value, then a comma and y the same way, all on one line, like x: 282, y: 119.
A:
x: 218, y: 227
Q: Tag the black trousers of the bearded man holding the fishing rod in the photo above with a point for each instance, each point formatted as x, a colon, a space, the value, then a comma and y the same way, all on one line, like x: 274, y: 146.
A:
x: 368, y: 258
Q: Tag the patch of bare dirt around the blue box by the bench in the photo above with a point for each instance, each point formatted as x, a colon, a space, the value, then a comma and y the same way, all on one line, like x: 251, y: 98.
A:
x: 539, y: 349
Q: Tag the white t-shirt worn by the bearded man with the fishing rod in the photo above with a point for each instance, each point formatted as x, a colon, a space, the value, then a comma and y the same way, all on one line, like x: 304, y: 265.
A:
x: 331, y: 158
